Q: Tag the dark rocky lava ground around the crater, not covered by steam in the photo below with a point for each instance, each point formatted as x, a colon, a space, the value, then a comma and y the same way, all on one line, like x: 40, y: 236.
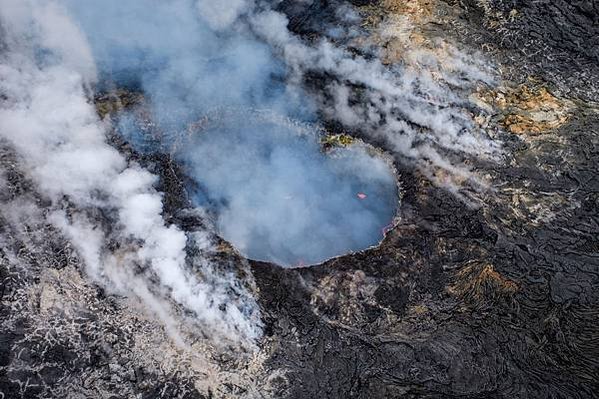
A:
x: 479, y: 293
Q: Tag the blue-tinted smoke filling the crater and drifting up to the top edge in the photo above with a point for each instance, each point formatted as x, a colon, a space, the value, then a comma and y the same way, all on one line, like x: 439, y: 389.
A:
x: 276, y: 197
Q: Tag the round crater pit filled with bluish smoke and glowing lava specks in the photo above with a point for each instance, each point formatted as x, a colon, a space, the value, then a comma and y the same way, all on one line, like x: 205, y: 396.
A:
x: 279, y: 198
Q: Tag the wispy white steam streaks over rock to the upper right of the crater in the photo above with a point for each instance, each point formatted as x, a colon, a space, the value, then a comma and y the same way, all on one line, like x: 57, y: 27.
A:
x: 417, y: 112
